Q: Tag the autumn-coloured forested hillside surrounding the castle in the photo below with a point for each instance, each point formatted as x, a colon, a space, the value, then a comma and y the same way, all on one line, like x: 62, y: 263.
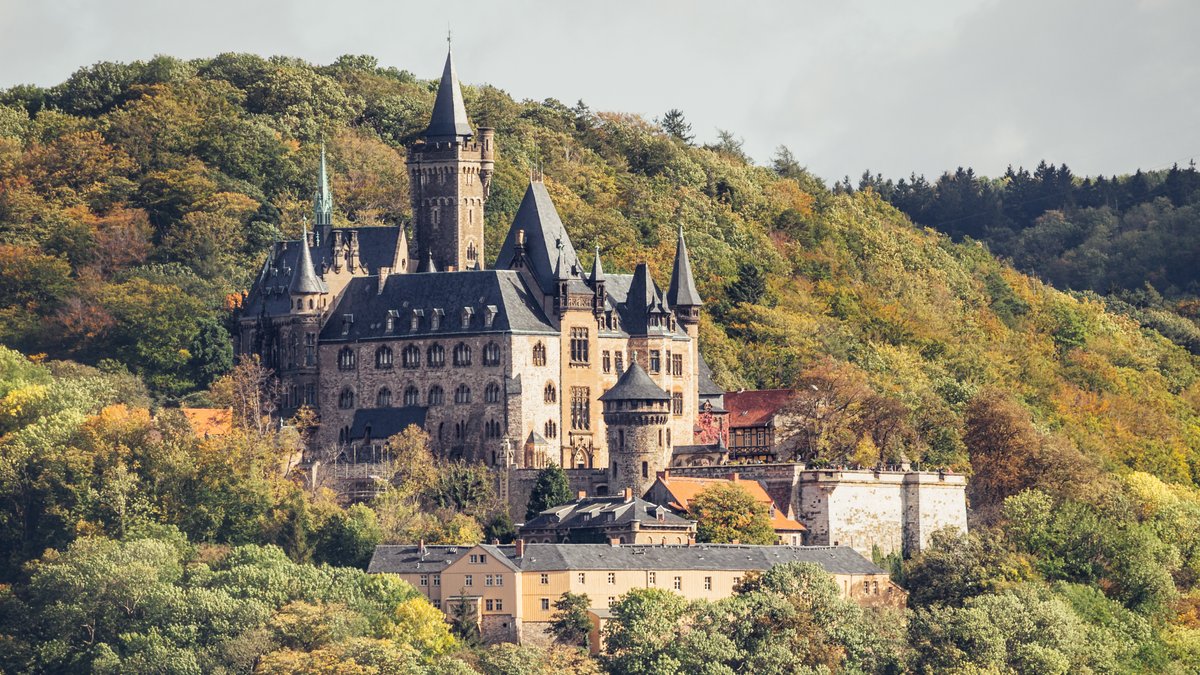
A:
x: 139, y: 201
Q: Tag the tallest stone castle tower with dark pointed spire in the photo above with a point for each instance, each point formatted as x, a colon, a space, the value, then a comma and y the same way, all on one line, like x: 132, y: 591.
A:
x: 451, y: 171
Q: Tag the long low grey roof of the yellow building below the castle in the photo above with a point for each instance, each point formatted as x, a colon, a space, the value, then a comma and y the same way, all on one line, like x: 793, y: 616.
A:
x: 836, y: 560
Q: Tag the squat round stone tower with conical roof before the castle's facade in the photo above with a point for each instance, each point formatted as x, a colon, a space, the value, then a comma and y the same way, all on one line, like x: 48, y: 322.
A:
x: 637, y: 413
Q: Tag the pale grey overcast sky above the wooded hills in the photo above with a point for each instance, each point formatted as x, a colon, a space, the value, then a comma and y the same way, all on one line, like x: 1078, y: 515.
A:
x: 897, y: 87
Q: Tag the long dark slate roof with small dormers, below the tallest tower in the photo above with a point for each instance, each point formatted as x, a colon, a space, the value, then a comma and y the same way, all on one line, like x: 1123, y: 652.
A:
x: 362, y: 313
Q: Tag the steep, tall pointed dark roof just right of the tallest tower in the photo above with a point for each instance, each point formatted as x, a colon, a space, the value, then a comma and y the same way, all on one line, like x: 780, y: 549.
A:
x: 544, y: 236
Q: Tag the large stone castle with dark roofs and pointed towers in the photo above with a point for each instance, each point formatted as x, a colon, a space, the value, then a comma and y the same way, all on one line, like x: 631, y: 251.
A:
x: 532, y: 362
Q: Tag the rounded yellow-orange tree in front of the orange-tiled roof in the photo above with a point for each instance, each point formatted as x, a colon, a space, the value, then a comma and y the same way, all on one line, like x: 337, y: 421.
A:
x: 729, y: 513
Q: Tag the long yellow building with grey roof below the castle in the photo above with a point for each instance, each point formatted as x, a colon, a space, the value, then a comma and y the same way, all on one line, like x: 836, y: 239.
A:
x: 513, y: 589
